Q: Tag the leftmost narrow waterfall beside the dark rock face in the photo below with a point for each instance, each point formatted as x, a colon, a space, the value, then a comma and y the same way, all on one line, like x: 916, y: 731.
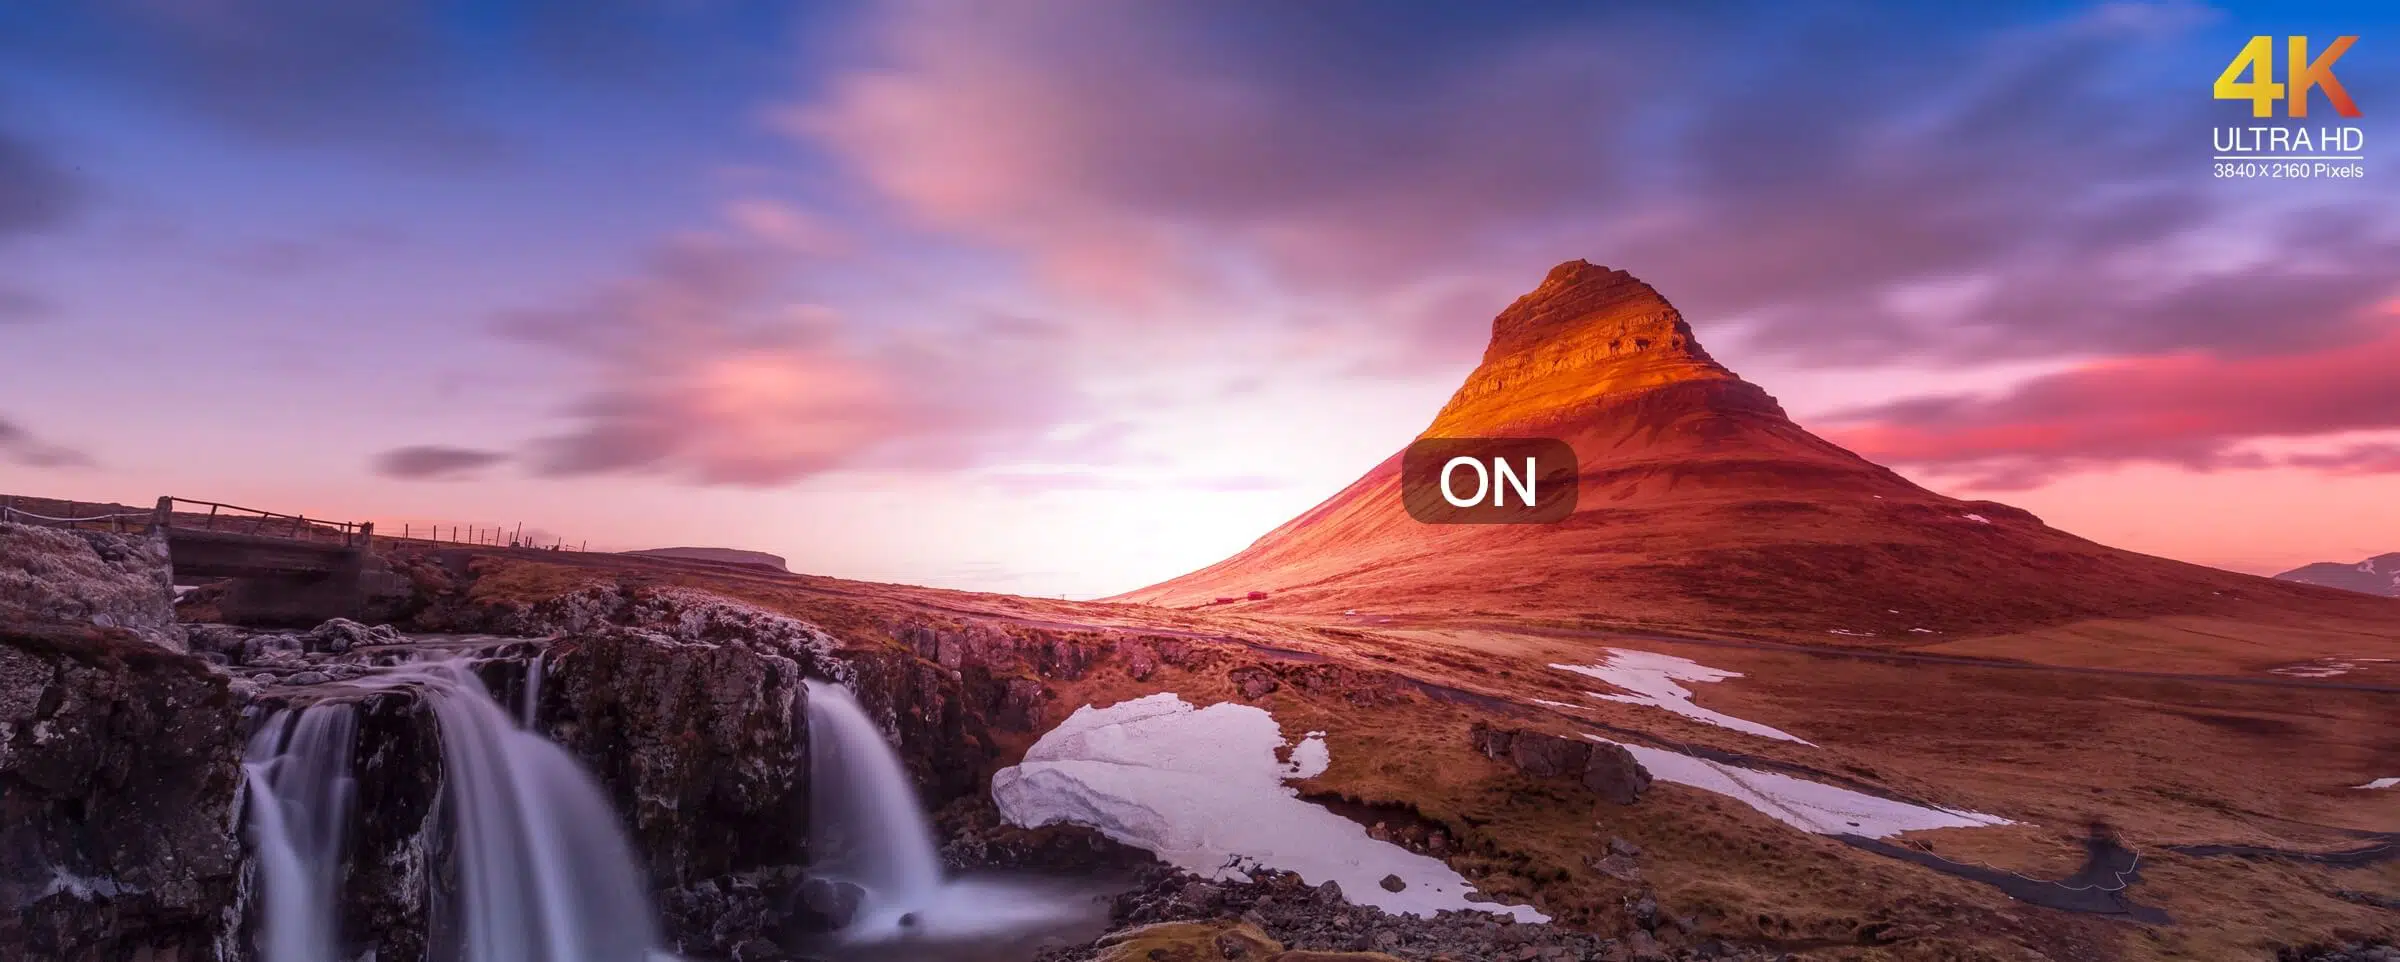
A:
x: 299, y: 774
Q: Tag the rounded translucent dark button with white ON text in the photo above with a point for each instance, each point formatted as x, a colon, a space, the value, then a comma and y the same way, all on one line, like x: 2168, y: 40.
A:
x: 1489, y: 481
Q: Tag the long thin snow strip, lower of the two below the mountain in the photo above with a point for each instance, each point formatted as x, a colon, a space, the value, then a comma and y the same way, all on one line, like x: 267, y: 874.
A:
x: 1811, y: 807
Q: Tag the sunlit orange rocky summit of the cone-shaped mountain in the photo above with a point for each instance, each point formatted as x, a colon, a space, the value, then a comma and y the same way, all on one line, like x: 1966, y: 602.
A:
x: 1588, y: 332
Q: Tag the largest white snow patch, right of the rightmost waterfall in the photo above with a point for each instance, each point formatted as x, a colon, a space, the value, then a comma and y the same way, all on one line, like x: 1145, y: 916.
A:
x: 1201, y: 788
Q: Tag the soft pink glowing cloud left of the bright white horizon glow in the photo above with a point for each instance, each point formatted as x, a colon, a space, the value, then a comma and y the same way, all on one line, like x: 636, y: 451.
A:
x: 707, y: 368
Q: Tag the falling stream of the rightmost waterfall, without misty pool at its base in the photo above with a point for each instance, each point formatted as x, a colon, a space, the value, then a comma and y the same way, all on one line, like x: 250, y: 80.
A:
x: 865, y: 819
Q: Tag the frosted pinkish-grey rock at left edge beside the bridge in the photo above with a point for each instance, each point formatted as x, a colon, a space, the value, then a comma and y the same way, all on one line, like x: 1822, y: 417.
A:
x: 88, y: 579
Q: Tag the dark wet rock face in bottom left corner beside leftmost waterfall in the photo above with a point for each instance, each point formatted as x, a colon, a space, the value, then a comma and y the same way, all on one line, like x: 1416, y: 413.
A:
x: 119, y: 769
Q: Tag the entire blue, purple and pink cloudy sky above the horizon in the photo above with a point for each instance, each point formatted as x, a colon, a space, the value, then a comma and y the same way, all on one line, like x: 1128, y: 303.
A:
x: 1076, y: 296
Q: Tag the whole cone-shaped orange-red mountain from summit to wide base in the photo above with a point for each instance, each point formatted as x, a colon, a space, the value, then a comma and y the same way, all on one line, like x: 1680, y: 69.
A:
x: 1703, y: 505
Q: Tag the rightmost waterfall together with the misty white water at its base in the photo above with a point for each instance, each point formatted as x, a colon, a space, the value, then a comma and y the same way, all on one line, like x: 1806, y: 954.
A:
x: 868, y: 829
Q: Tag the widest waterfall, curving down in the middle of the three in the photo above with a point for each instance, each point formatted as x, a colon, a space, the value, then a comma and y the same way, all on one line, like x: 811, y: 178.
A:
x: 546, y: 874
